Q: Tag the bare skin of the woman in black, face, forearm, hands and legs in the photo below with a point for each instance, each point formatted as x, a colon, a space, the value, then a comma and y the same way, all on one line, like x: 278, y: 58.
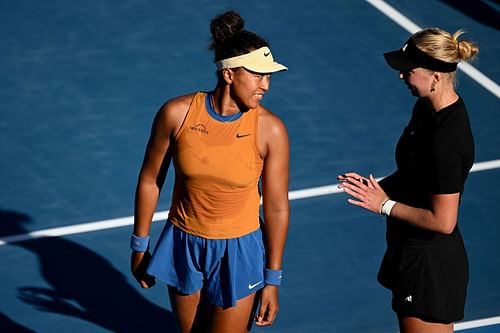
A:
x: 364, y: 191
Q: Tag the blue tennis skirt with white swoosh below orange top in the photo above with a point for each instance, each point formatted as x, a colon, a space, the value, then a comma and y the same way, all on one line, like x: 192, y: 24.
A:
x: 226, y: 269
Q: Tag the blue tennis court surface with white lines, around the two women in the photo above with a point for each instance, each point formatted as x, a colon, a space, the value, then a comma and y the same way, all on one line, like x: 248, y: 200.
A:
x: 80, y: 83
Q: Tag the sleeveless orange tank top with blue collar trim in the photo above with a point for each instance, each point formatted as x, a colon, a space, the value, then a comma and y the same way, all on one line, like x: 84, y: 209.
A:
x: 217, y: 170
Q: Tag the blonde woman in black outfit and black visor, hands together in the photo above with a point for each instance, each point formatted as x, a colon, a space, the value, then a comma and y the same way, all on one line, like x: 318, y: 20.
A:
x: 425, y: 264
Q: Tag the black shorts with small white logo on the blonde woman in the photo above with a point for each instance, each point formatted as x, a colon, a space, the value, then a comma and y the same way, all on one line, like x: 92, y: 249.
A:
x: 428, y: 280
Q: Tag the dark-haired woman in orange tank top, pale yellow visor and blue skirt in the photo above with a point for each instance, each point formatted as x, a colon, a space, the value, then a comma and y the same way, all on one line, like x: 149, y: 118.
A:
x: 218, y: 261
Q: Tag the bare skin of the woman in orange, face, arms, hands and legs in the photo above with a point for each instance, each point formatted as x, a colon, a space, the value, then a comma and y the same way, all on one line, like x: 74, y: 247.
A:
x: 240, y: 90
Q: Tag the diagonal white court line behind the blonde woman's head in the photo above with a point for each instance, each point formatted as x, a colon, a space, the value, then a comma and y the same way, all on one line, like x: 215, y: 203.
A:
x: 411, y: 27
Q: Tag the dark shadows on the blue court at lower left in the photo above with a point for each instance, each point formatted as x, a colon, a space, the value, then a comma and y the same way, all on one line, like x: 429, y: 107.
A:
x: 83, y: 285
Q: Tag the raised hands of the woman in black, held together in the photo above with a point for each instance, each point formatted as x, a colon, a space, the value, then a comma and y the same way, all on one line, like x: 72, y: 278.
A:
x: 367, y: 190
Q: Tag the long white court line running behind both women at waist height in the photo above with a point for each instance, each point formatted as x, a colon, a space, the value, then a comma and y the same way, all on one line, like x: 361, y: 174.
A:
x: 129, y: 220
